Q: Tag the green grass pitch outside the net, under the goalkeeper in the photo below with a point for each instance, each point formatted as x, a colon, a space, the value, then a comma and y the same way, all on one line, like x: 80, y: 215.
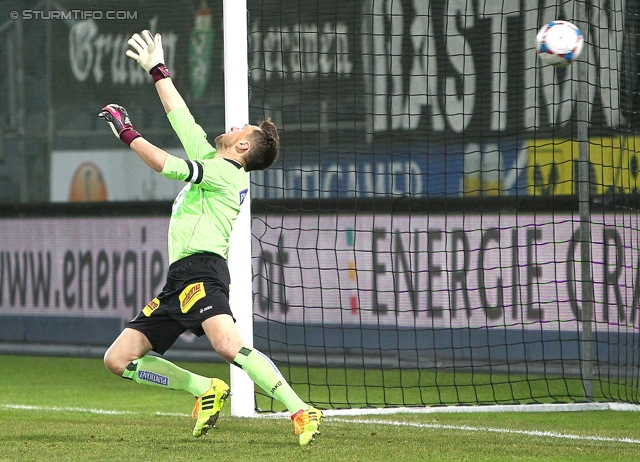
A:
x: 68, y: 393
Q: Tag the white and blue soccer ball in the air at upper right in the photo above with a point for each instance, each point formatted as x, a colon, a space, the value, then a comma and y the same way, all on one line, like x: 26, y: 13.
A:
x: 559, y: 43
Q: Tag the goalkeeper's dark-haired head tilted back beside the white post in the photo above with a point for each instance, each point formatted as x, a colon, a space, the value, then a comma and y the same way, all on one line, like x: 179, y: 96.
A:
x: 258, y: 146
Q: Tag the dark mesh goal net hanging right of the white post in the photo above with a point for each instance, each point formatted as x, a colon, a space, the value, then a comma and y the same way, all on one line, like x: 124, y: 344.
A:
x: 451, y: 222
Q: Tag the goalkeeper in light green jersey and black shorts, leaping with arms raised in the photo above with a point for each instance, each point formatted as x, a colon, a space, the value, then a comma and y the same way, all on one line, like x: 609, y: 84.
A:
x: 196, y: 294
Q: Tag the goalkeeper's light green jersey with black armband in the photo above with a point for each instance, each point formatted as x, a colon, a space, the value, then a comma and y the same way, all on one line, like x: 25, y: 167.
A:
x: 204, y: 212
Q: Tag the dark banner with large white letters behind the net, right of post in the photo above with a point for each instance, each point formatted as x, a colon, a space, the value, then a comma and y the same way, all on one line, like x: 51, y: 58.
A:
x: 436, y: 67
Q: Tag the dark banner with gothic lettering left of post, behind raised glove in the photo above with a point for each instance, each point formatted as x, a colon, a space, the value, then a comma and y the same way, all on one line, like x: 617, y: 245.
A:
x: 91, y: 40
